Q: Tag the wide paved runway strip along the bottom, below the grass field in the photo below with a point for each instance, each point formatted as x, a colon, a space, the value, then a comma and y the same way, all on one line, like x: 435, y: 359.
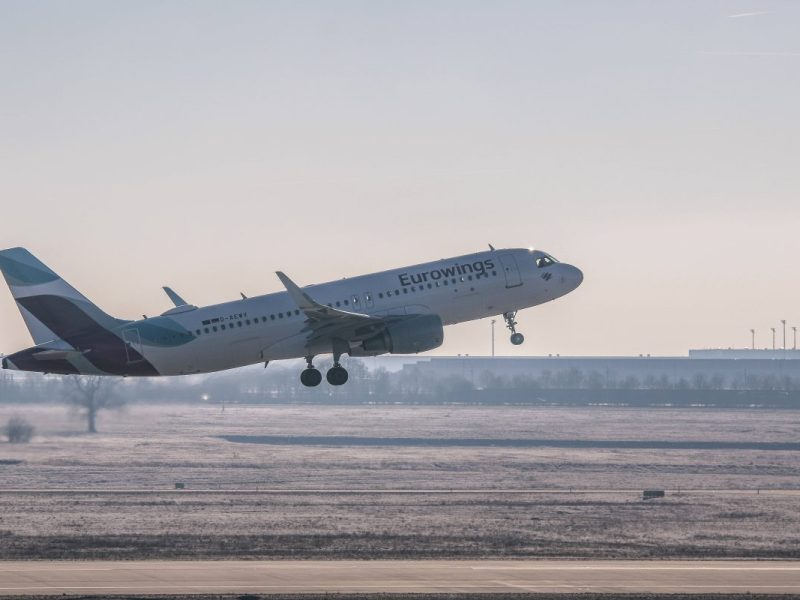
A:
x: 263, y: 577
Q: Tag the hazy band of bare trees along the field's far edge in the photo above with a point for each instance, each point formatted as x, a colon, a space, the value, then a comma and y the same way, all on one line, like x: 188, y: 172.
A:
x: 412, y: 384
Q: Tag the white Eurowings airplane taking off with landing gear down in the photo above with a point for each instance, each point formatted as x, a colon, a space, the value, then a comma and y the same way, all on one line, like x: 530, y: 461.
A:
x: 399, y: 311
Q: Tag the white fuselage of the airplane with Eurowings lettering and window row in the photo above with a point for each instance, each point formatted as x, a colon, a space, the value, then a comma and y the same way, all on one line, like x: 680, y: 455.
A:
x: 271, y: 327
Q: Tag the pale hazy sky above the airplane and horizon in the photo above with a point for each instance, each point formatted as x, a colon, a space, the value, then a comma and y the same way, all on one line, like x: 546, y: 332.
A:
x: 204, y: 145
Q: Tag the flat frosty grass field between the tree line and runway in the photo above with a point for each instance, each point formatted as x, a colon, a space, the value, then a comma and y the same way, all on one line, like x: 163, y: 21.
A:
x: 154, y: 447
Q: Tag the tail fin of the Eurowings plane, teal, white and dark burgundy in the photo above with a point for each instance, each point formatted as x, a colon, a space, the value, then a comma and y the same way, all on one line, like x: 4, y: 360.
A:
x: 52, y: 308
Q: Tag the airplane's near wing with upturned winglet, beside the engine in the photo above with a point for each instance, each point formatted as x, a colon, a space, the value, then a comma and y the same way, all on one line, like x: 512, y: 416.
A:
x: 326, y: 322
